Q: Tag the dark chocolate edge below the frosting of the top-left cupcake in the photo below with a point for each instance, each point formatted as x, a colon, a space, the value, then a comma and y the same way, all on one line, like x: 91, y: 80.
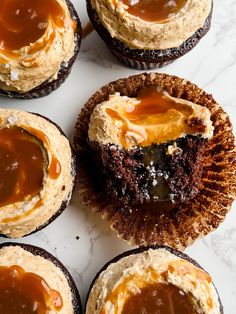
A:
x: 50, y: 85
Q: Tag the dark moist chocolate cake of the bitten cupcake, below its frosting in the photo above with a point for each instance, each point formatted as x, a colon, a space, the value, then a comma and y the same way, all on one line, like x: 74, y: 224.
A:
x: 149, y: 174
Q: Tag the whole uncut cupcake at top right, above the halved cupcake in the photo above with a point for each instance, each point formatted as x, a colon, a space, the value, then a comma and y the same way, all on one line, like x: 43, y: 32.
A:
x: 148, y: 34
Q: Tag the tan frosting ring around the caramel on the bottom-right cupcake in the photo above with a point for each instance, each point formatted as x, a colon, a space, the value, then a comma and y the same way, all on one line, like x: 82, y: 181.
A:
x: 129, y: 275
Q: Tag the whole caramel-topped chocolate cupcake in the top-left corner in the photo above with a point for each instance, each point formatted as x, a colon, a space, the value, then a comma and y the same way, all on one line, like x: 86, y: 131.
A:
x: 40, y: 41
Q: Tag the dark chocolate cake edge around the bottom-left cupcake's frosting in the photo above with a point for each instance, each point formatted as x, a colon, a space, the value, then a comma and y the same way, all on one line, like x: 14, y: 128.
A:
x: 76, y: 301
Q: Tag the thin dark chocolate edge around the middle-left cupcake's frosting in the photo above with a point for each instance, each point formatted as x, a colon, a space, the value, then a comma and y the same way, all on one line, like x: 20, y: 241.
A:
x: 65, y: 202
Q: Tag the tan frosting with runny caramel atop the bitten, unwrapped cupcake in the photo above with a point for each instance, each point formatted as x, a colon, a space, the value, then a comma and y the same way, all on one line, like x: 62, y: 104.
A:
x: 153, y: 118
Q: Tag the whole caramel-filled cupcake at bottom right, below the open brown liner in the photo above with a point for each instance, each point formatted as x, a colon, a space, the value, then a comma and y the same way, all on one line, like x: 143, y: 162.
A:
x: 153, y: 280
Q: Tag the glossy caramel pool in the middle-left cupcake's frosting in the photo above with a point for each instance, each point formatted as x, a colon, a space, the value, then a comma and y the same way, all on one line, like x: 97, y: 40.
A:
x: 21, y: 165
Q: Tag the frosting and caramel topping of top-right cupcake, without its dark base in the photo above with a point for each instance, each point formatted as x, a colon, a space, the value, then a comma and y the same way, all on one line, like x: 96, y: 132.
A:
x: 152, y: 24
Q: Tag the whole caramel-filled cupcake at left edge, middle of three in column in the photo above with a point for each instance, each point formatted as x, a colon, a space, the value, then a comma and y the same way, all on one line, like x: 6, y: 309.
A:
x: 37, y: 171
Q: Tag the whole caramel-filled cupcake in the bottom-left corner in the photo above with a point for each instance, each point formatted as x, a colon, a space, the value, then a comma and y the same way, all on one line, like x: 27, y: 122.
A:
x: 34, y: 281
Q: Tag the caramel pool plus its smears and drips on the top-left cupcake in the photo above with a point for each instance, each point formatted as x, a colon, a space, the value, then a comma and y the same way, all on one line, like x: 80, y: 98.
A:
x: 23, y: 17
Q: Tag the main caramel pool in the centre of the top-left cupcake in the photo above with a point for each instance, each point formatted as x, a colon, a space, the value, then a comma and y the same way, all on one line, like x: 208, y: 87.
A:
x: 24, y: 21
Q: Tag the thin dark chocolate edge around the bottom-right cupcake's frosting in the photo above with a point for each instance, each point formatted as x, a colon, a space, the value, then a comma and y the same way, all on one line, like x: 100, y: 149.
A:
x: 146, y: 248
